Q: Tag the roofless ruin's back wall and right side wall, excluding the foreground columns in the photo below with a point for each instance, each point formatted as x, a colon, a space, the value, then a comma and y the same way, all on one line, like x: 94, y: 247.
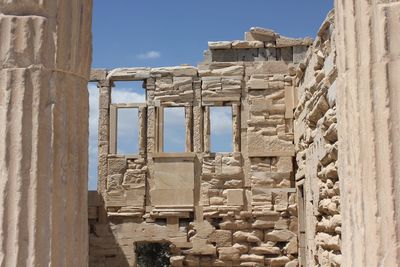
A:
x: 226, y: 209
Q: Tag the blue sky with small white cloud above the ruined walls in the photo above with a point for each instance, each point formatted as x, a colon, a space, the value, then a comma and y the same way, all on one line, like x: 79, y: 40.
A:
x: 128, y: 33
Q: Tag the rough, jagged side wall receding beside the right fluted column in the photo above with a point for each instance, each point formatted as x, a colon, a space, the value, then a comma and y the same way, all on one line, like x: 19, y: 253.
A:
x: 316, y: 138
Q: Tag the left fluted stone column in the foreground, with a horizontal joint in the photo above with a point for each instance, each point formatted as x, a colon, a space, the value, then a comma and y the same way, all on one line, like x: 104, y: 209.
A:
x: 45, y: 57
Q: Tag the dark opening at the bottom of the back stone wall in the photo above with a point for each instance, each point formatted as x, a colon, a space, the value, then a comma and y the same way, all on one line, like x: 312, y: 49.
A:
x: 152, y: 254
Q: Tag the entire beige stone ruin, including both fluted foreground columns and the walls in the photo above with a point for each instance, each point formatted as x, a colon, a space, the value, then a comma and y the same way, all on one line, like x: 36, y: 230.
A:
x: 312, y: 178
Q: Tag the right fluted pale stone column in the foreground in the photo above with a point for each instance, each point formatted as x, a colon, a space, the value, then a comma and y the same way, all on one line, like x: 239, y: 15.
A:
x: 368, y: 49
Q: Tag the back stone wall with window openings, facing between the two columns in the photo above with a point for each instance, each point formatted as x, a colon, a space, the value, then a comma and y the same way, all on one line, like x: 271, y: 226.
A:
x: 215, y: 209
